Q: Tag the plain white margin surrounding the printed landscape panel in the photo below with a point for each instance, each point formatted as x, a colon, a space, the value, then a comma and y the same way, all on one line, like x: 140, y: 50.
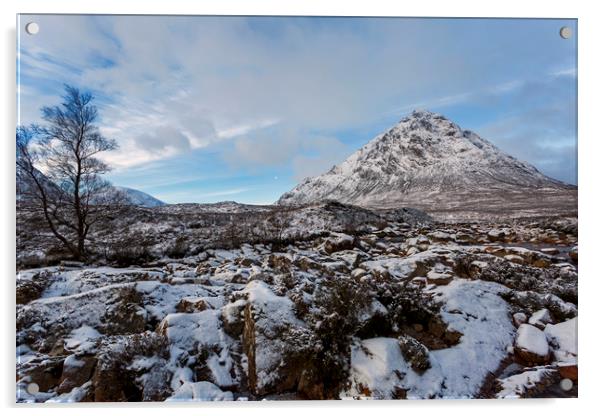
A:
x: 589, y: 176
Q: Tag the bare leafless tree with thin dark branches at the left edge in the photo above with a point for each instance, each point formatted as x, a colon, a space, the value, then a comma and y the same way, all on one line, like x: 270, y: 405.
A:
x: 60, y: 172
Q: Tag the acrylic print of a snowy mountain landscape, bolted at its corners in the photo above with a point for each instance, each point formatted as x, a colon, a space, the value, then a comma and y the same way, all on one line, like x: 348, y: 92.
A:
x: 289, y: 208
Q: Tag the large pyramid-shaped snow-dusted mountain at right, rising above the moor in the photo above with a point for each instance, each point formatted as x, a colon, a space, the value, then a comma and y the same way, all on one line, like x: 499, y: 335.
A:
x: 427, y: 161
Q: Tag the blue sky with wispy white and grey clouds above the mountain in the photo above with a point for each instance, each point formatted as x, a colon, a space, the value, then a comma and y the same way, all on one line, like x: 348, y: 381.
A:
x: 207, y: 109
